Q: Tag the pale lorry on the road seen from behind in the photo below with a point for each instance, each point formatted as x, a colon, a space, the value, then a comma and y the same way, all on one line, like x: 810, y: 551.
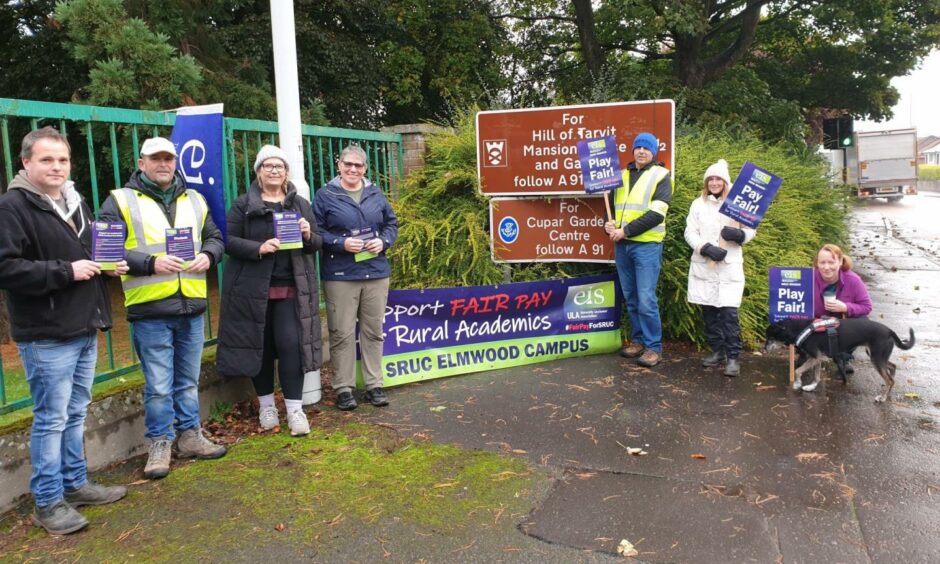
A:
x: 886, y: 163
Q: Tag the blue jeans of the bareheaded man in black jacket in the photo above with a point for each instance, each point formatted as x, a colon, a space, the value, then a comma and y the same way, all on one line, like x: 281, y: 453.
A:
x: 60, y: 374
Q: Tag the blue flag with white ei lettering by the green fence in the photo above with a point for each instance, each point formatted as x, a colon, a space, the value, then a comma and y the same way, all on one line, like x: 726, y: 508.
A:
x: 197, y: 136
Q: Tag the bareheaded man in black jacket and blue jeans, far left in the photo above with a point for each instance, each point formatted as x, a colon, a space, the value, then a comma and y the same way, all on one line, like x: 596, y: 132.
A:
x: 57, y: 302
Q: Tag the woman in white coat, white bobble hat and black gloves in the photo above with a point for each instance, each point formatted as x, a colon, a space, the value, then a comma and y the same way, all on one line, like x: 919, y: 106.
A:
x: 716, y: 272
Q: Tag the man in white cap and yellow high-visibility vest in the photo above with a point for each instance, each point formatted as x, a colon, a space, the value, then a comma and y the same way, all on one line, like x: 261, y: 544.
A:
x: 166, y: 296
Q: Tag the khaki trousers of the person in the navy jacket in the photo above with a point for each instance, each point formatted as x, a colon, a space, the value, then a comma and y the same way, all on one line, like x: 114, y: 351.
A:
x: 347, y: 301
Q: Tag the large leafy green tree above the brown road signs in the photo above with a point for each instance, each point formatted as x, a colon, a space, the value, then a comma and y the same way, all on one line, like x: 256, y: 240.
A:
x: 815, y: 55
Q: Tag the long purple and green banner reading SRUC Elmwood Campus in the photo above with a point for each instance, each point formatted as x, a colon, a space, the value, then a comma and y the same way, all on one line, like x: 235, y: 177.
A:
x: 440, y: 332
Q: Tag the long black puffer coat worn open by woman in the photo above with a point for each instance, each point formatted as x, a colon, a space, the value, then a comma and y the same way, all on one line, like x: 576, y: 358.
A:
x: 247, y: 278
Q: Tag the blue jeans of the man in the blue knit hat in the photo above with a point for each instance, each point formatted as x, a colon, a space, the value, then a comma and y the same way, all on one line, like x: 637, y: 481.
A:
x: 638, y: 267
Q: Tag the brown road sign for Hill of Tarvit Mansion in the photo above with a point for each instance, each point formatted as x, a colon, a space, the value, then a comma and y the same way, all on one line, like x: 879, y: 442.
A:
x: 534, y: 151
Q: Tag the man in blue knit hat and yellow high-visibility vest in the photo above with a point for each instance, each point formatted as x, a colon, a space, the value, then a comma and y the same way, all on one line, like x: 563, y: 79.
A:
x: 638, y: 230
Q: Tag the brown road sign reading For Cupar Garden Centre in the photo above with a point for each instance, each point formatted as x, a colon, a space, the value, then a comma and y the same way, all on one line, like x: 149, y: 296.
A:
x: 565, y: 228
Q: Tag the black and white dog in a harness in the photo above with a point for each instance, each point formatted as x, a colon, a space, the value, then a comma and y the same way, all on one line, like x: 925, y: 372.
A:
x: 878, y: 338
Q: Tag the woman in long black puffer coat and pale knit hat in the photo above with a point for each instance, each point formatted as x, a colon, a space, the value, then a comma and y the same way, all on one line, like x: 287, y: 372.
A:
x: 270, y: 293
